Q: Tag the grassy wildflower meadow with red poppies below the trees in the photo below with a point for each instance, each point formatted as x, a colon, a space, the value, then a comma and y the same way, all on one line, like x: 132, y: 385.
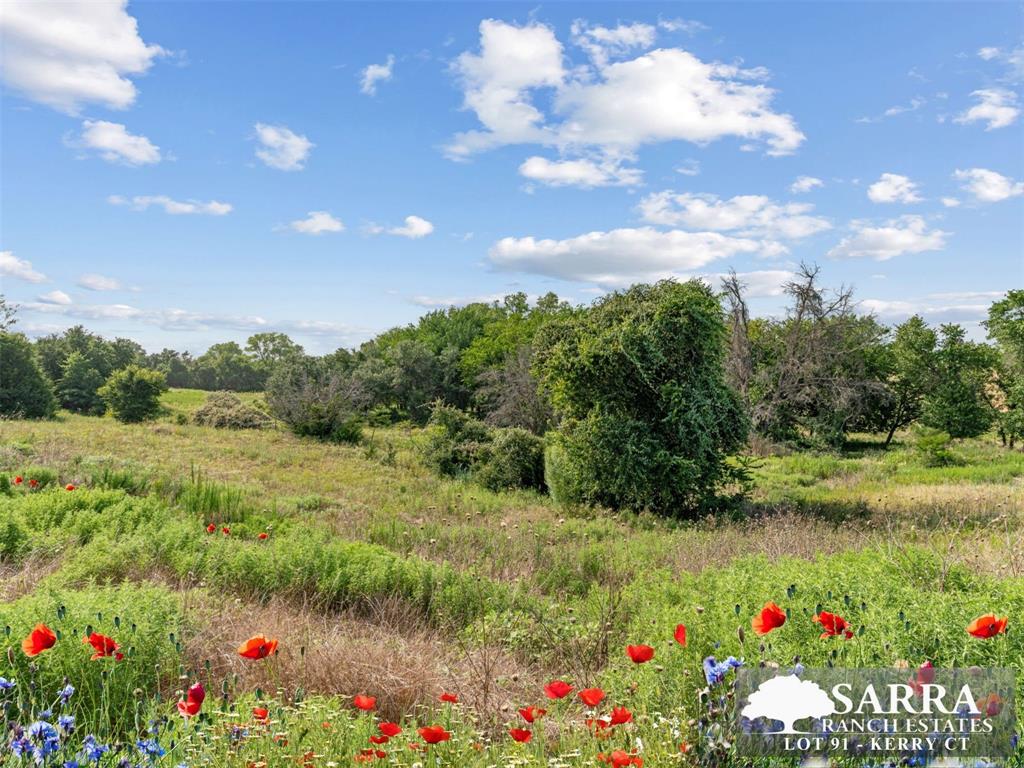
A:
x: 451, y: 606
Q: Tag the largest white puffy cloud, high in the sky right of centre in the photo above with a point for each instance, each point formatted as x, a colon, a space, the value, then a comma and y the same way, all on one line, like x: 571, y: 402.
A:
x: 664, y: 96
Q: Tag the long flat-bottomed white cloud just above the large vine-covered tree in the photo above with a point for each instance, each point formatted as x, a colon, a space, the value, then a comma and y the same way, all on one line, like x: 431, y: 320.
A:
x: 619, y: 258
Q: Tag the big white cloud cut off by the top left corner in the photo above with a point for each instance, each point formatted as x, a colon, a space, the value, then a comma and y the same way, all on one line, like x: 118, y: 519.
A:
x: 69, y: 55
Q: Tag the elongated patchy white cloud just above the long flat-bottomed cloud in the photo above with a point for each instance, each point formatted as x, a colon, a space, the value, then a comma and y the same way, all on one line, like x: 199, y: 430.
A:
x: 750, y: 216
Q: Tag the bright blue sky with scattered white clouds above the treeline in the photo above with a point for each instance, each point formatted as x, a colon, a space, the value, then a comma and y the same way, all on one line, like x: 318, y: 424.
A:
x: 186, y: 174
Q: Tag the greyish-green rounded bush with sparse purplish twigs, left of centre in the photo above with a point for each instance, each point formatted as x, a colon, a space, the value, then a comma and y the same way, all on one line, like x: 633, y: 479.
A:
x: 316, y: 400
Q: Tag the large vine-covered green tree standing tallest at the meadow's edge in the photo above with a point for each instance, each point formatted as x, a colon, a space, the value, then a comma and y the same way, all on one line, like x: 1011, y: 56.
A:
x: 648, y: 419
